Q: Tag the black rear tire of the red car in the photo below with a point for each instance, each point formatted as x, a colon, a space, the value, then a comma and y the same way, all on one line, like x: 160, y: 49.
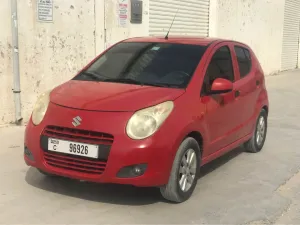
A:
x: 253, y: 145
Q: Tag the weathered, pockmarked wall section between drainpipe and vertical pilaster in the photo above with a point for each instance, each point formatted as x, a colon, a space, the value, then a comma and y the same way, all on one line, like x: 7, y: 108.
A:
x: 51, y: 53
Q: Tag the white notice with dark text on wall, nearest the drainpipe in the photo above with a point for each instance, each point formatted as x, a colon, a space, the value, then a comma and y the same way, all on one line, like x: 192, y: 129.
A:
x: 45, y: 10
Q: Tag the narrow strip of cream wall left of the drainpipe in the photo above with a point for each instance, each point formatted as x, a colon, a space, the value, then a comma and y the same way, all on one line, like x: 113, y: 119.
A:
x: 6, y: 81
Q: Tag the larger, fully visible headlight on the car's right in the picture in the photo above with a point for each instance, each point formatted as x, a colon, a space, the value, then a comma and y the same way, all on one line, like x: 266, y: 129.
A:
x: 146, y: 122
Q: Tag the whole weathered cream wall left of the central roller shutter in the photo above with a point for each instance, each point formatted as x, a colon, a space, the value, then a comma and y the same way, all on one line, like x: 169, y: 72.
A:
x: 52, y: 53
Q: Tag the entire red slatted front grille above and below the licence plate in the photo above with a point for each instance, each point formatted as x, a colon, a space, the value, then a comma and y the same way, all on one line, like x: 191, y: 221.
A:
x: 73, y: 162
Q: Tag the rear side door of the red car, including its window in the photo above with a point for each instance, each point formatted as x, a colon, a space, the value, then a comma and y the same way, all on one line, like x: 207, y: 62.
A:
x: 248, y: 87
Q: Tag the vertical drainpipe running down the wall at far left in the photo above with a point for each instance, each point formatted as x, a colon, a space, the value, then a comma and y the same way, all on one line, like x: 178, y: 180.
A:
x: 16, y: 72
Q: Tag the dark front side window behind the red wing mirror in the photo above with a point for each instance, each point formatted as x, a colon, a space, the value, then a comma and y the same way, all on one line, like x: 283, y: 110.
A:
x: 220, y: 66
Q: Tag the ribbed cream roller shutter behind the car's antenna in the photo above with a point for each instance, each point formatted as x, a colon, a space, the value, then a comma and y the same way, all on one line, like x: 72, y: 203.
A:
x: 192, y: 17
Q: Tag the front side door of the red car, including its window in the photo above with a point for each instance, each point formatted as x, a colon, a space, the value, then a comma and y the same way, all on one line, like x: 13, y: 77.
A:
x: 221, y: 115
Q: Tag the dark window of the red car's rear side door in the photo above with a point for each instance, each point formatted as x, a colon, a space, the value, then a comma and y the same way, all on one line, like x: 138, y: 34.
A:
x: 244, y: 60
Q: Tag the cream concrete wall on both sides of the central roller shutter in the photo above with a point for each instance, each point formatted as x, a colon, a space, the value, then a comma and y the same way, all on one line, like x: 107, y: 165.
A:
x: 51, y: 53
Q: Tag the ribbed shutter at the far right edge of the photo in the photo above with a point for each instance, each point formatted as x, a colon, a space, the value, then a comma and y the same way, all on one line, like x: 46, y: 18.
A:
x: 290, y: 43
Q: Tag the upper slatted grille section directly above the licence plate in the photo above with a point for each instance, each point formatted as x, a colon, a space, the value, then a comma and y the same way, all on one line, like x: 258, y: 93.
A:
x: 84, y: 136
